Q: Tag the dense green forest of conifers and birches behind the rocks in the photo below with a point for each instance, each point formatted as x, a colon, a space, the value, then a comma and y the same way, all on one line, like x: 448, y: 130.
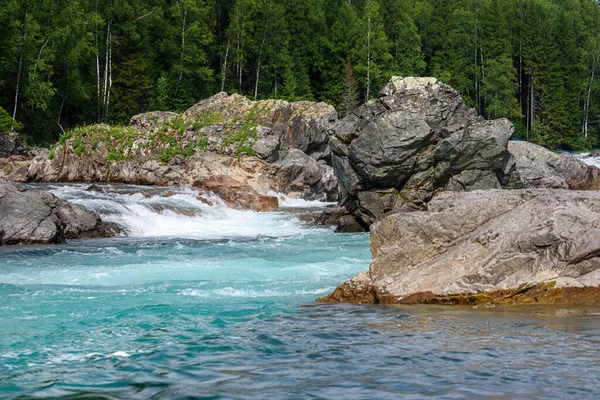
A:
x: 68, y: 63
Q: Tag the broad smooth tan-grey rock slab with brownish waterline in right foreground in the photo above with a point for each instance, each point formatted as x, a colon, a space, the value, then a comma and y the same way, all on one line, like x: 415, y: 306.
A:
x: 503, y: 242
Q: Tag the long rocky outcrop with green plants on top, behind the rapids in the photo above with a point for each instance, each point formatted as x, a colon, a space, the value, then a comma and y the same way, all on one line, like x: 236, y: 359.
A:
x: 265, y: 145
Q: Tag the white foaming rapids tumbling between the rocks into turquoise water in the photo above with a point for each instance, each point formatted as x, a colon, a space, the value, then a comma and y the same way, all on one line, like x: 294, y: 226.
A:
x: 182, y: 212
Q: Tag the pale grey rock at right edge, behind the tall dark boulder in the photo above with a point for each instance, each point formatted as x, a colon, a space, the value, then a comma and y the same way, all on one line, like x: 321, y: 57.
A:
x: 537, y: 167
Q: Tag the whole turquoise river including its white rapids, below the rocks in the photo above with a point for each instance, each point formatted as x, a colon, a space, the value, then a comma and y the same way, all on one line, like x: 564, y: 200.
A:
x: 154, y: 315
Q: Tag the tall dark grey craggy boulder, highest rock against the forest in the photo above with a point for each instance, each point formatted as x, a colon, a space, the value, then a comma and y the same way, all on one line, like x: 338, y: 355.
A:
x: 393, y: 154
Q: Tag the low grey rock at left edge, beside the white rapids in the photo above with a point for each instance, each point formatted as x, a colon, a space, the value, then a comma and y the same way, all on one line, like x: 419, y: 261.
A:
x: 38, y: 217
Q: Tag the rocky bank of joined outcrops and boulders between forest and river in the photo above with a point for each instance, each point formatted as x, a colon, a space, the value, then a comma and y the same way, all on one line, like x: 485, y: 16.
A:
x: 458, y: 213
